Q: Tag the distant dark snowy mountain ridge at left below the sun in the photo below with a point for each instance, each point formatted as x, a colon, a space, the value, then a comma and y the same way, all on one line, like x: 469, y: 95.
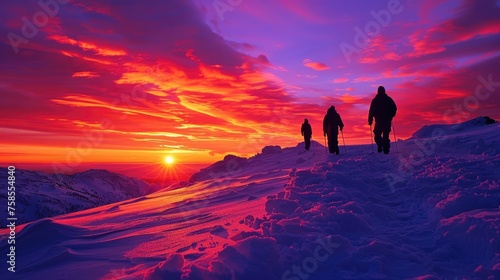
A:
x: 40, y: 195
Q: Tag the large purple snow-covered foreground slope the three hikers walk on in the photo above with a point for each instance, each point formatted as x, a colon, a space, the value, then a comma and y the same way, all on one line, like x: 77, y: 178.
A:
x: 430, y: 211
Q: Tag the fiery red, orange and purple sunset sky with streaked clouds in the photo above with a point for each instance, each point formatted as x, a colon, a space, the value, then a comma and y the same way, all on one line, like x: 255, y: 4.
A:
x: 133, y: 81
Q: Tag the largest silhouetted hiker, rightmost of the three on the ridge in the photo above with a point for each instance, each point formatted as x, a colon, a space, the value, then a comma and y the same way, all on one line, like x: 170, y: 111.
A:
x: 383, y: 109
